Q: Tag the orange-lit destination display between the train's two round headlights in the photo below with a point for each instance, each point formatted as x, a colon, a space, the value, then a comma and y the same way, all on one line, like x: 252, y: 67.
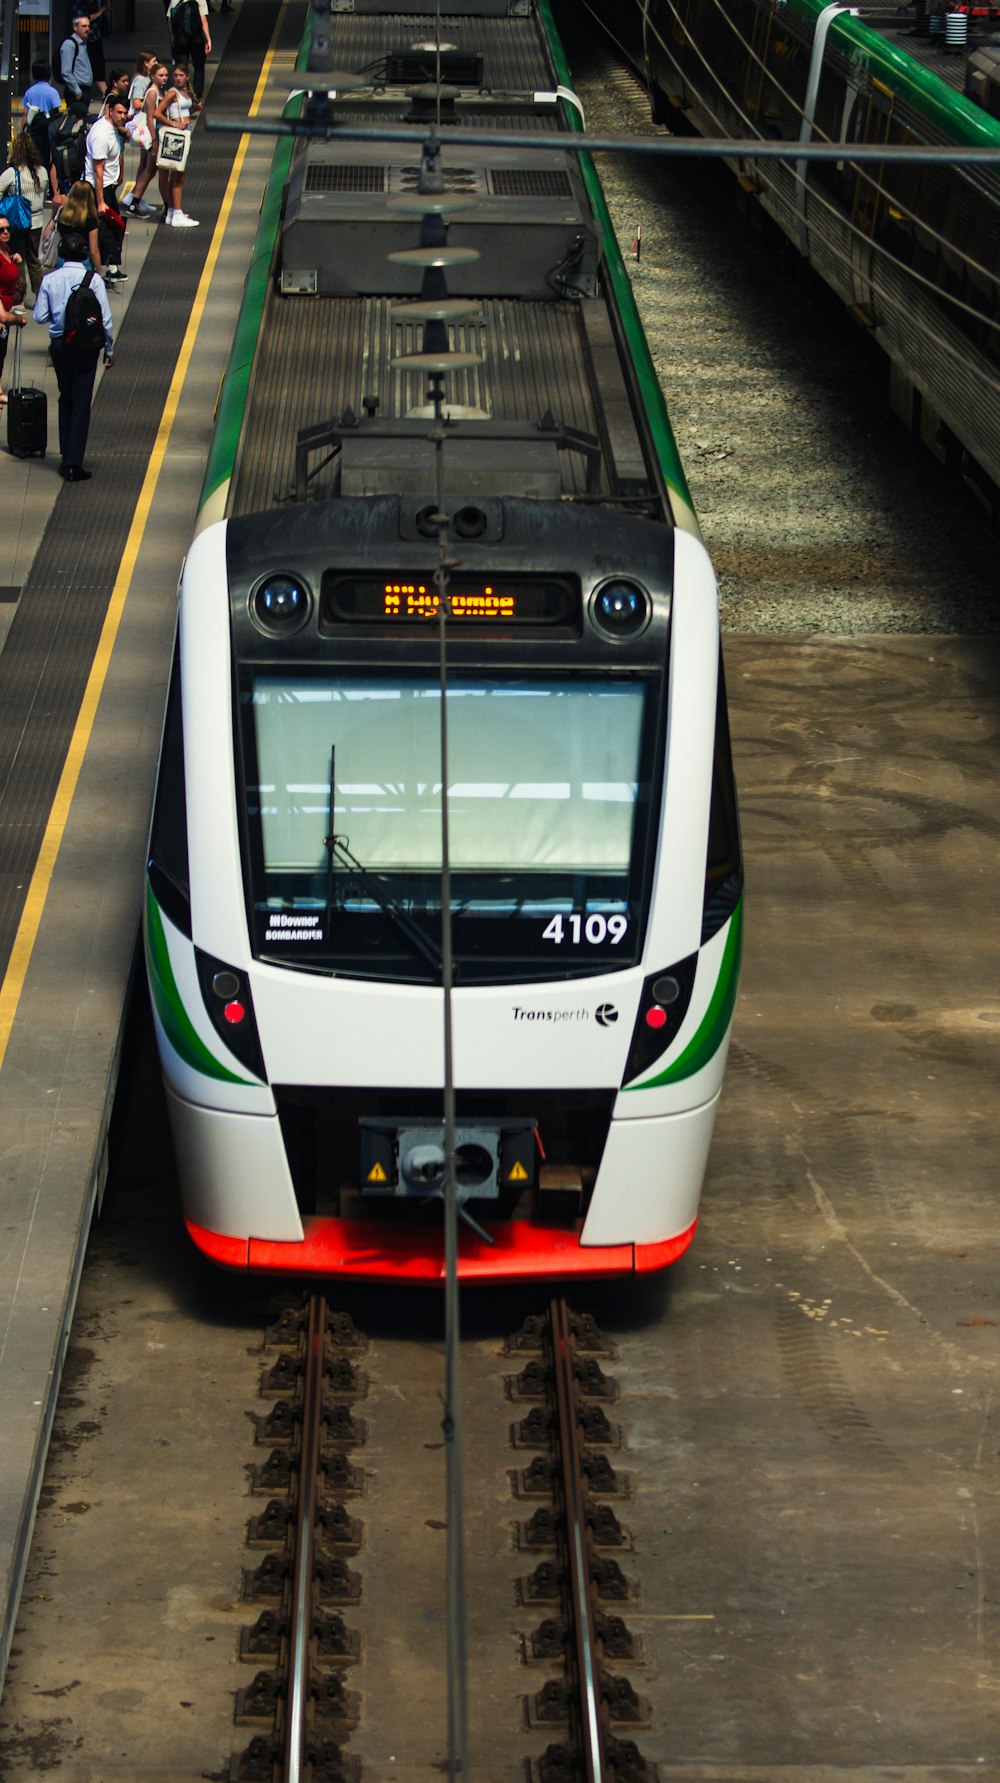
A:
x: 473, y: 600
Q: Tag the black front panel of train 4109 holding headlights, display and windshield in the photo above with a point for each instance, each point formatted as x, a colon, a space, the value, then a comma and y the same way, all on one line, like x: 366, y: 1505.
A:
x: 557, y: 714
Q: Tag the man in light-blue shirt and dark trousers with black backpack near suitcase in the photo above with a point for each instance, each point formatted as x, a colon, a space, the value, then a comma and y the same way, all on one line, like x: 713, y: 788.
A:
x: 76, y: 308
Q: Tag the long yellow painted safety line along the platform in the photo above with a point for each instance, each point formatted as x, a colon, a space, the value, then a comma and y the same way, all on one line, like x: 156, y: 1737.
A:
x: 60, y: 810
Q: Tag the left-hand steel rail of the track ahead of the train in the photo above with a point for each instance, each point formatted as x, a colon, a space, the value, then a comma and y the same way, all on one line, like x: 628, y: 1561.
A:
x: 300, y: 1623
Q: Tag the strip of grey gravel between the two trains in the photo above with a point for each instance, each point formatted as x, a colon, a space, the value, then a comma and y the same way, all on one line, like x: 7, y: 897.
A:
x: 817, y: 507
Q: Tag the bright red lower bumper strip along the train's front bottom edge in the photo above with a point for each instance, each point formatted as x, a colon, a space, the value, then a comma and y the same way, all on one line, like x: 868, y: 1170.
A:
x: 386, y: 1253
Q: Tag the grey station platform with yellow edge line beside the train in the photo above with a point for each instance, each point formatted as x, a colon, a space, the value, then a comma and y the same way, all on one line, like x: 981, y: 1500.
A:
x: 88, y: 596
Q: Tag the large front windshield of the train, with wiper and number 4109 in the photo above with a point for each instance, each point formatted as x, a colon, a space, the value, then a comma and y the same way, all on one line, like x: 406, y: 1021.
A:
x: 548, y: 800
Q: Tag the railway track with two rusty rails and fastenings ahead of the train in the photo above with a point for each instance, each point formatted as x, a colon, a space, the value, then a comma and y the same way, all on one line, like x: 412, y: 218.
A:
x: 568, y: 1491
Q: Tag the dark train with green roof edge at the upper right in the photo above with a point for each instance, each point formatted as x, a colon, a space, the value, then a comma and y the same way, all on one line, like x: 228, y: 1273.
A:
x: 912, y: 251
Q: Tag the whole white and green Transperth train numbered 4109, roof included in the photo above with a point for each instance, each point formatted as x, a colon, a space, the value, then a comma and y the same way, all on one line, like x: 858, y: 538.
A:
x: 441, y: 393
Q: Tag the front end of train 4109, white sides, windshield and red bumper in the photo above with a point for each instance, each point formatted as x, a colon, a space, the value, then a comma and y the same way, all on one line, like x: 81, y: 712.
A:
x: 596, y: 896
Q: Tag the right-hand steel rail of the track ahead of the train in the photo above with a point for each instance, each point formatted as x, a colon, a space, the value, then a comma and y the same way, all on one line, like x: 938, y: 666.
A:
x: 575, y: 1509
